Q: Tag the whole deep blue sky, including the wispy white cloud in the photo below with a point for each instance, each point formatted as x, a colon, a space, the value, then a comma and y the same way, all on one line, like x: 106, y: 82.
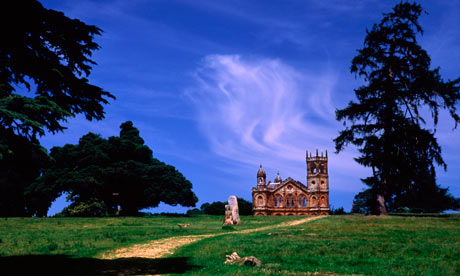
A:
x: 218, y: 87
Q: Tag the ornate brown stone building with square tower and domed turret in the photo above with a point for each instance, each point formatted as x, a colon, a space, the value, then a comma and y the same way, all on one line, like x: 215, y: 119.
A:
x: 290, y: 197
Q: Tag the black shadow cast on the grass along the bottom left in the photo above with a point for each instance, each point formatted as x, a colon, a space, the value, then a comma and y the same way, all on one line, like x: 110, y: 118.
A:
x: 68, y: 265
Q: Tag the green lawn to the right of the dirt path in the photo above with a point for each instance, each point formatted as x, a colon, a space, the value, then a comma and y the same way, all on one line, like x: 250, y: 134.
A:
x: 340, y: 244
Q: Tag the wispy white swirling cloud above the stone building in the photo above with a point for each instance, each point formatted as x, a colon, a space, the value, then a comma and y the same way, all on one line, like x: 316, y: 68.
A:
x: 262, y: 110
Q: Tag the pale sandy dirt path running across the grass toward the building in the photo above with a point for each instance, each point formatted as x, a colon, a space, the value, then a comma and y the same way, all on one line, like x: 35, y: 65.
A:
x: 162, y: 247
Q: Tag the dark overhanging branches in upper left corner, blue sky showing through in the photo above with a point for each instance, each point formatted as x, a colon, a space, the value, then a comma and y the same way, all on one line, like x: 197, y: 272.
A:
x: 50, y: 53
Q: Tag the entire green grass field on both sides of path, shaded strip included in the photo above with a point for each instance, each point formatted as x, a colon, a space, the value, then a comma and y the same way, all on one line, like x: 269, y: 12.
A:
x: 344, y: 245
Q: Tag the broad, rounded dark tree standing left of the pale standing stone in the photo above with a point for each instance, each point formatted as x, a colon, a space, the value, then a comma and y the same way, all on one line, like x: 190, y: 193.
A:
x: 118, y: 171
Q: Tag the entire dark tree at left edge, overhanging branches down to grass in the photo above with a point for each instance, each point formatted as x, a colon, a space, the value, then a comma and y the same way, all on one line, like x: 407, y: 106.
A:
x: 44, y: 66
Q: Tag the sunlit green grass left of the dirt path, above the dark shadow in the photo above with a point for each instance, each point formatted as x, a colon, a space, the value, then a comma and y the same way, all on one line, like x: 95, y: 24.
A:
x: 86, y: 237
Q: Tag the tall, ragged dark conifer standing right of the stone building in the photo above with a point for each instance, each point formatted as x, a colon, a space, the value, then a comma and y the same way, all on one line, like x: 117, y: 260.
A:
x: 386, y: 122
